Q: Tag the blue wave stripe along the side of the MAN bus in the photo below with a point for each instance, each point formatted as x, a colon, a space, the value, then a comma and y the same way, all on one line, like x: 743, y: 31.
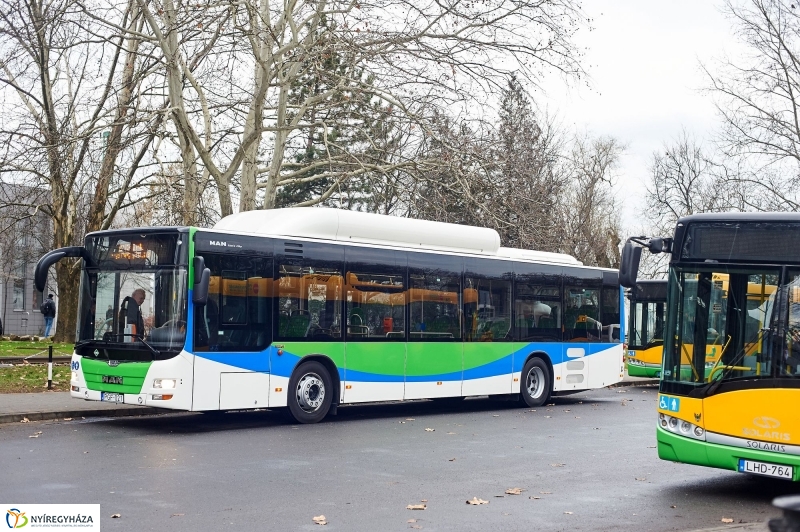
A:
x: 283, y: 365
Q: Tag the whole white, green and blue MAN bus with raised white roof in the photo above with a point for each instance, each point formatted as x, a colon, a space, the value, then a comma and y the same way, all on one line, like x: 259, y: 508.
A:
x: 310, y: 308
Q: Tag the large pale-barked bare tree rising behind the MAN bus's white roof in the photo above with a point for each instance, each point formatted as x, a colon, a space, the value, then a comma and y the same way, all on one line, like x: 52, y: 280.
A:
x: 235, y: 74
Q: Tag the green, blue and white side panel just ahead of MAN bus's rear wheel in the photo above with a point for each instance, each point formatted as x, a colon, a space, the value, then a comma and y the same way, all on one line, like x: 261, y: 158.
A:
x: 487, y: 368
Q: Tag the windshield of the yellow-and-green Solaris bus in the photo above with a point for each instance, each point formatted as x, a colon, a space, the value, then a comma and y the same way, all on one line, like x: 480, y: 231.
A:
x: 731, y: 324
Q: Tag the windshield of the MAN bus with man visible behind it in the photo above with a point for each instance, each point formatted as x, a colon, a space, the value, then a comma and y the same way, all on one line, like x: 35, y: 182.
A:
x: 134, y: 296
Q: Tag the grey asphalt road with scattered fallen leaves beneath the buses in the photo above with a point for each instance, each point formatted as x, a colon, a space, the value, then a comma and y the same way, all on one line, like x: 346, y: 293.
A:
x: 588, y: 462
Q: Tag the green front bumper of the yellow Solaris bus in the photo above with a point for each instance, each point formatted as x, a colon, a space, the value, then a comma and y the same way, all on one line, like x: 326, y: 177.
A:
x: 690, y: 451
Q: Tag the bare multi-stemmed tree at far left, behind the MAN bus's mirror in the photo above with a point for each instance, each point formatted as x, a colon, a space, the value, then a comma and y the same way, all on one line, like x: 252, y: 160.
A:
x: 70, y: 125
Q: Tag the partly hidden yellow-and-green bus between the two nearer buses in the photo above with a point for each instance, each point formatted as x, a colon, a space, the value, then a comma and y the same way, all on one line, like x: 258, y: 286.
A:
x: 647, y: 315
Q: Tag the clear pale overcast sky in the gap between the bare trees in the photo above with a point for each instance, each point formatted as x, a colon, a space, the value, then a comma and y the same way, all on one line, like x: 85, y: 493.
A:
x: 643, y: 57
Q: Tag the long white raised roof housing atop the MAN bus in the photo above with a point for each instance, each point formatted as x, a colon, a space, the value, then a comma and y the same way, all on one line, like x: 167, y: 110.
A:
x: 368, y: 228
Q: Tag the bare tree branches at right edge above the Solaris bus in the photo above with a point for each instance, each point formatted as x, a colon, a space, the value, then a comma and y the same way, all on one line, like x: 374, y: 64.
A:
x: 757, y: 99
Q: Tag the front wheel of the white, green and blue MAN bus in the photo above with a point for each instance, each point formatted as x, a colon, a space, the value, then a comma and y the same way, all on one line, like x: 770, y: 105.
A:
x: 310, y: 393
